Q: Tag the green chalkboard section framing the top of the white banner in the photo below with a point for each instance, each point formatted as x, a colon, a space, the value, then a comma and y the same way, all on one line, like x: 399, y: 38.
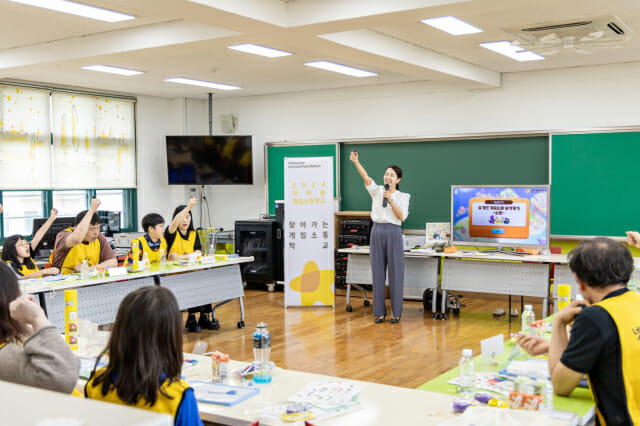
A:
x: 275, y: 166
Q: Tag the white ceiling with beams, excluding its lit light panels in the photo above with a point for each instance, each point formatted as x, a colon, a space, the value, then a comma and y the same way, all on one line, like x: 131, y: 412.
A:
x: 182, y: 38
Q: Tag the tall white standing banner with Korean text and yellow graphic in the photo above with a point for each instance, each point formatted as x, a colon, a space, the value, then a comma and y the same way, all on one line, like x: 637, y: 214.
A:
x: 308, y: 232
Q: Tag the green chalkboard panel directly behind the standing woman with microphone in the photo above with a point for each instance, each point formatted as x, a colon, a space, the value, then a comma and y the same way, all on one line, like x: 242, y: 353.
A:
x: 431, y: 167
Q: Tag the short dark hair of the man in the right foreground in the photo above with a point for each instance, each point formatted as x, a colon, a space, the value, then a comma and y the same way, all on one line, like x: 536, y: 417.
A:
x: 601, y: 262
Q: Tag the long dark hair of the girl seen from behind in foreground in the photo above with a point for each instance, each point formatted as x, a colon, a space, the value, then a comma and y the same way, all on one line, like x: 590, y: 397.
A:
x: 145, y: 346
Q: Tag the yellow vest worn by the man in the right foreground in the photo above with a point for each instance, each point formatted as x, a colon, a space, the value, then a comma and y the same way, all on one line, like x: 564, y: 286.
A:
x: 624, y: 311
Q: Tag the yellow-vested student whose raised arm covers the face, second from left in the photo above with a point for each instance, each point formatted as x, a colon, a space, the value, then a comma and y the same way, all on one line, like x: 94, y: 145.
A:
x: 83, y: 242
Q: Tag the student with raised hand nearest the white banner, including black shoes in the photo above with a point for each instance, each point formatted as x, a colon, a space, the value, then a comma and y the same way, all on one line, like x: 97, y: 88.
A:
x: 182, y: 240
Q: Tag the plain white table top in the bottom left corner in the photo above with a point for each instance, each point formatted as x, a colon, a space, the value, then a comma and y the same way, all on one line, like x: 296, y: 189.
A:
x: 26, y: 405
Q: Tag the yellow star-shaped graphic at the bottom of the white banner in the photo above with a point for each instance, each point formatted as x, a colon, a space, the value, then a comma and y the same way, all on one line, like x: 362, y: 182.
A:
x: 314, y: 285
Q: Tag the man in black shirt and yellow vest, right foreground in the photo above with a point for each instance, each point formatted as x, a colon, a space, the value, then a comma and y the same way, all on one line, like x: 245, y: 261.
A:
x: 604, y: 342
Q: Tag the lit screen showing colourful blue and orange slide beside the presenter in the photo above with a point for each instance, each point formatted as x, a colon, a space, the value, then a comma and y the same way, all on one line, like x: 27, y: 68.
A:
x: 500, y: 216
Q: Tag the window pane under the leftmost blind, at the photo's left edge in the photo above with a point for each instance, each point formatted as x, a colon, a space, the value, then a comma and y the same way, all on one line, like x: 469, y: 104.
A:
x: 20, y: 208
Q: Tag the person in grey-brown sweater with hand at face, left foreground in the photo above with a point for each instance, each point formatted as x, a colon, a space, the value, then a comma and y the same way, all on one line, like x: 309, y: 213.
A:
x: 34, y: 357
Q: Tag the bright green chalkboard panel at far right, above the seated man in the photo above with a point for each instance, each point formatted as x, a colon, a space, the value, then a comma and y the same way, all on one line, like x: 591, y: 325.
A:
x: 593, y: 180
